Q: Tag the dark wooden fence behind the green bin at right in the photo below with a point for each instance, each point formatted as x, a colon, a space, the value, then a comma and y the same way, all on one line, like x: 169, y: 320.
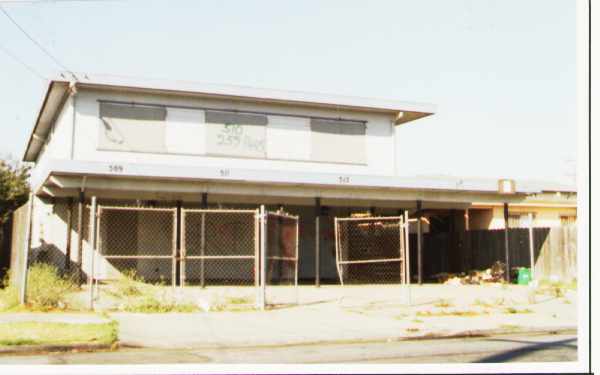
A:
x: 555, y: 251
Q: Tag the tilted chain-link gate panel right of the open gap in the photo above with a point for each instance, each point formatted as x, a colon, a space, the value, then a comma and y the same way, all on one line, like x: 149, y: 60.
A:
x: 370, y: 250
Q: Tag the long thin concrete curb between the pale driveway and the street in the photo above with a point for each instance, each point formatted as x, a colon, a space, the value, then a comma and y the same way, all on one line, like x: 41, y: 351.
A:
x: 426, y: 336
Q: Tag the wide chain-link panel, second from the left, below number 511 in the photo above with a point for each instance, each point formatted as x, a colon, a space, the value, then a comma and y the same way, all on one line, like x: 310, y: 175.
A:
x: 219, y: 247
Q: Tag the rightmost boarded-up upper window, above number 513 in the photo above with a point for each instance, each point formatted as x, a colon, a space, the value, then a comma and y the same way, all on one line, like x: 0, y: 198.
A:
x: 338, y: 141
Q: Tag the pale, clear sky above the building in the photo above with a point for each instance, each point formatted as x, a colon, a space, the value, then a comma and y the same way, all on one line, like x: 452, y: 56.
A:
x: 501, y: 73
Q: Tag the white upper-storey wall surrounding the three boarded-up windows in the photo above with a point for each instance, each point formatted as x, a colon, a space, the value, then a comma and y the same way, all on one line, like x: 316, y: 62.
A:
x: 379, y: 137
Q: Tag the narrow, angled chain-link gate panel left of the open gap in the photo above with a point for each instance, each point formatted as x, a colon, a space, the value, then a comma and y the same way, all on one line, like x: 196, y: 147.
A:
x: 281, y: 263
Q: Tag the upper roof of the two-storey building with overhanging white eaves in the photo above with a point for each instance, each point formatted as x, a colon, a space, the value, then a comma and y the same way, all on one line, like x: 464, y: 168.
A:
x: 58, y: 92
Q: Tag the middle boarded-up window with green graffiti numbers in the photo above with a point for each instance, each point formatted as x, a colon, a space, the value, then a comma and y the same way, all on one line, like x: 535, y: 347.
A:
x: 235, y: 134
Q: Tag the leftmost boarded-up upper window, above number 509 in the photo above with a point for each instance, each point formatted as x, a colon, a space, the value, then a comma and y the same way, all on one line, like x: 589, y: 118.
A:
x: 131, y: 128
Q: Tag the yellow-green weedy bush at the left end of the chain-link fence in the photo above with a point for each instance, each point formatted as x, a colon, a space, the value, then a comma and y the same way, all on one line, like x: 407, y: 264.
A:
x: 46, y: 288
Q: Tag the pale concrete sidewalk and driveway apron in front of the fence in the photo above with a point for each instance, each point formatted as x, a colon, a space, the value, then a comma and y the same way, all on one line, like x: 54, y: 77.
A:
x: 351, y: 320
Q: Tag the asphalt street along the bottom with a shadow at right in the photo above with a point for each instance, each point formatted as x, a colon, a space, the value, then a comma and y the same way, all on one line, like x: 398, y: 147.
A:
x: 513, y: 348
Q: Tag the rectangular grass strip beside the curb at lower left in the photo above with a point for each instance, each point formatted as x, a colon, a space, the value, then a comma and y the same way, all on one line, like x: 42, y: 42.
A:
x: 49, y: 333
